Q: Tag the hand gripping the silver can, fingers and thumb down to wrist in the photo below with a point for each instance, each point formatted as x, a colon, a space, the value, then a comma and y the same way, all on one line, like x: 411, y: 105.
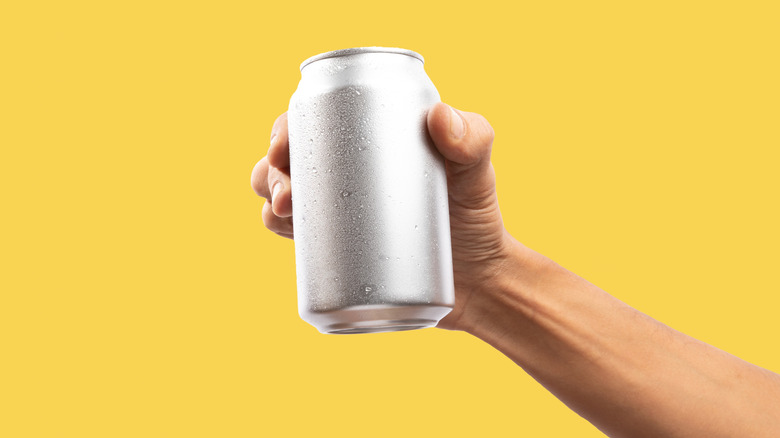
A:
x: 480, y: 245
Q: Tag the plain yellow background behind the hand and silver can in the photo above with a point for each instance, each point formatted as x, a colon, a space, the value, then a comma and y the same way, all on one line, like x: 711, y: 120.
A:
x: 637, y: 144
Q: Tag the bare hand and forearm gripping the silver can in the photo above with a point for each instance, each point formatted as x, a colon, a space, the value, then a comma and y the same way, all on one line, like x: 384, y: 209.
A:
x: 626, y: 373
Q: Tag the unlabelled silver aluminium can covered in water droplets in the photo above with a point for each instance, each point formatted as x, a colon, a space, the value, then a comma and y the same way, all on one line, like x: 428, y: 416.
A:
x: 370, y: 206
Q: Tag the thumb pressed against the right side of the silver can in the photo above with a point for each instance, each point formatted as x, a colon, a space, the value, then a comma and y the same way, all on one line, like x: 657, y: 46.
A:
x: 465, y: 140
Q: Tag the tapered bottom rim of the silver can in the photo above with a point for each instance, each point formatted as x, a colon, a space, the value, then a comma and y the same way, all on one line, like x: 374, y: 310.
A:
x: 377, y: 318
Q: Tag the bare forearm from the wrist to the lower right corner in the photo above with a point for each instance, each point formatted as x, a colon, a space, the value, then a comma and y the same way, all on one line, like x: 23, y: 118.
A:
x: 626, y: 373
